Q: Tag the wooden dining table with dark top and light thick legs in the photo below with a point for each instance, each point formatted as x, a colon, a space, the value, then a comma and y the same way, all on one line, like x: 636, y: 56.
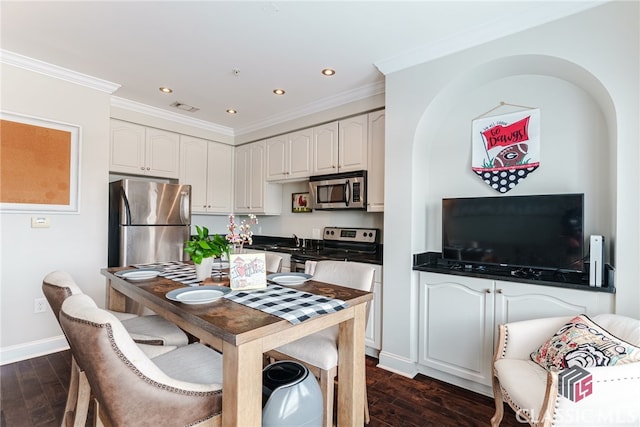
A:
x: 243, y: 334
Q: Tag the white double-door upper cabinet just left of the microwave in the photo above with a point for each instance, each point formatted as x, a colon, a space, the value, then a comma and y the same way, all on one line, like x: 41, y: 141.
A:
x: 289, y: 156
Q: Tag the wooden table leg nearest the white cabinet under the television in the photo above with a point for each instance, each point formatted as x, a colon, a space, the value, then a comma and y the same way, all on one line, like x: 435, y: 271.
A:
x: 351, y: 369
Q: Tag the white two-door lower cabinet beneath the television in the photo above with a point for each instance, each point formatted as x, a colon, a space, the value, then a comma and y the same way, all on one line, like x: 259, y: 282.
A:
x: 459, y: 318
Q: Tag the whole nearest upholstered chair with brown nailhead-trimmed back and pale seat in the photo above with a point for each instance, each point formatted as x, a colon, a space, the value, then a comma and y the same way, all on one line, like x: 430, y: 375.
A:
x: 178, y: 388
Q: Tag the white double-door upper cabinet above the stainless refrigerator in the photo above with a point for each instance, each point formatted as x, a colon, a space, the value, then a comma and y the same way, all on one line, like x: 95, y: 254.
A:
x: 140, y: 150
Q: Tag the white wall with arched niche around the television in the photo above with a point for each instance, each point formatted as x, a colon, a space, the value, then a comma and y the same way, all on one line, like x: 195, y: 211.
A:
x: 583, y: 73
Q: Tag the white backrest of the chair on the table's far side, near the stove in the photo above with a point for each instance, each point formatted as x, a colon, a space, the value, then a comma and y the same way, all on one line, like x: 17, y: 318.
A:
x: 351, y: 275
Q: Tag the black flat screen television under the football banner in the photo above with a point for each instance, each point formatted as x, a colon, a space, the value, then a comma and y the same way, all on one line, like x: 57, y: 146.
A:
x: 538, y: 232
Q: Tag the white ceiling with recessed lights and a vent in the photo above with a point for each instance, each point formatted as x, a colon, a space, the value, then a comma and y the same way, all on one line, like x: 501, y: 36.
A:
x: 193, y: 47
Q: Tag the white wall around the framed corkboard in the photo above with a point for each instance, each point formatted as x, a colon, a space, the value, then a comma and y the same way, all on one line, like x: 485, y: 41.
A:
x: 74, y: 242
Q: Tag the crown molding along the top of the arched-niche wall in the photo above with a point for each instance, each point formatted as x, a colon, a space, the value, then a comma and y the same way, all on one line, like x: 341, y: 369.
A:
x: 538, y: 14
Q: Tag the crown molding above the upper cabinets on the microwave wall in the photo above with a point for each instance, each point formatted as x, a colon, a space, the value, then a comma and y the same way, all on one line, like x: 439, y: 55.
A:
x: 363, y: 92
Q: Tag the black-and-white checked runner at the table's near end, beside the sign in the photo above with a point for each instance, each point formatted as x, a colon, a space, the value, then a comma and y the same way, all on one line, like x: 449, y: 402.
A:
x: 289, y: 304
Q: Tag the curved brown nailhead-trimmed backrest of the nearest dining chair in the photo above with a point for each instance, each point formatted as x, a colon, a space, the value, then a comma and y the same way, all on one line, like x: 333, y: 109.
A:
x: 131, y: 389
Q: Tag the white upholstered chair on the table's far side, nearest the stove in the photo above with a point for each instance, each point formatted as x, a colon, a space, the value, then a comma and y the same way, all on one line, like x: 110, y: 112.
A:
x: 319, y: 352
